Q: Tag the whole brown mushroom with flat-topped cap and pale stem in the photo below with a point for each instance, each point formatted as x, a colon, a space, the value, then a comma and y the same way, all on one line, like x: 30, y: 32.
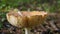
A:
x: 26, y: 19
